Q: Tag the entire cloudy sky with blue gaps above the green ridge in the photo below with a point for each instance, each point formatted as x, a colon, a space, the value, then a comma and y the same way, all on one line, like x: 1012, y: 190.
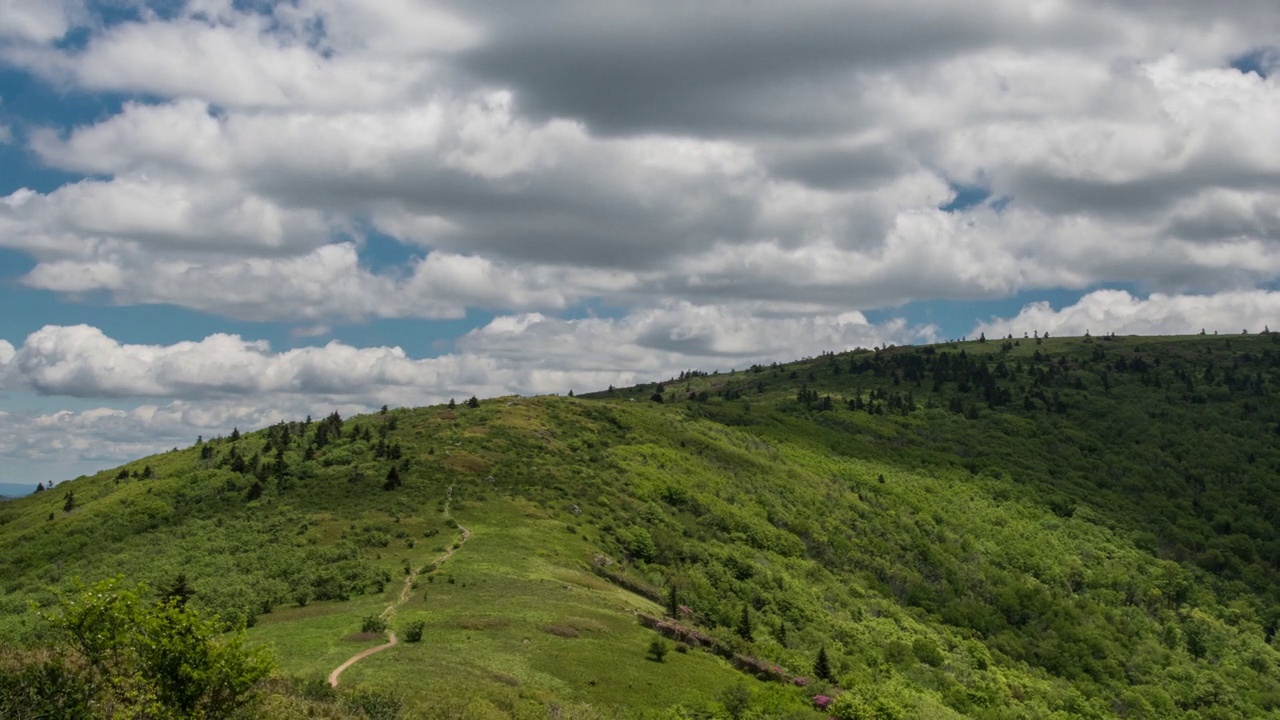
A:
x: 221, y: 215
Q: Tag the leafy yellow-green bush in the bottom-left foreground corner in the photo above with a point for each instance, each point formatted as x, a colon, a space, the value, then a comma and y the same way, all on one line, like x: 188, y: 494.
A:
x: 116, y: 655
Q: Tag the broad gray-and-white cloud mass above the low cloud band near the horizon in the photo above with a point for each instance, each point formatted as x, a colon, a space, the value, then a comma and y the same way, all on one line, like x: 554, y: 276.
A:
x: 534, y: 157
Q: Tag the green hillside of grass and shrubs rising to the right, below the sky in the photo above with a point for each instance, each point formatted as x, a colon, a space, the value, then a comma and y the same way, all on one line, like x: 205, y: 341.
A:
x: 1005, y: 528
